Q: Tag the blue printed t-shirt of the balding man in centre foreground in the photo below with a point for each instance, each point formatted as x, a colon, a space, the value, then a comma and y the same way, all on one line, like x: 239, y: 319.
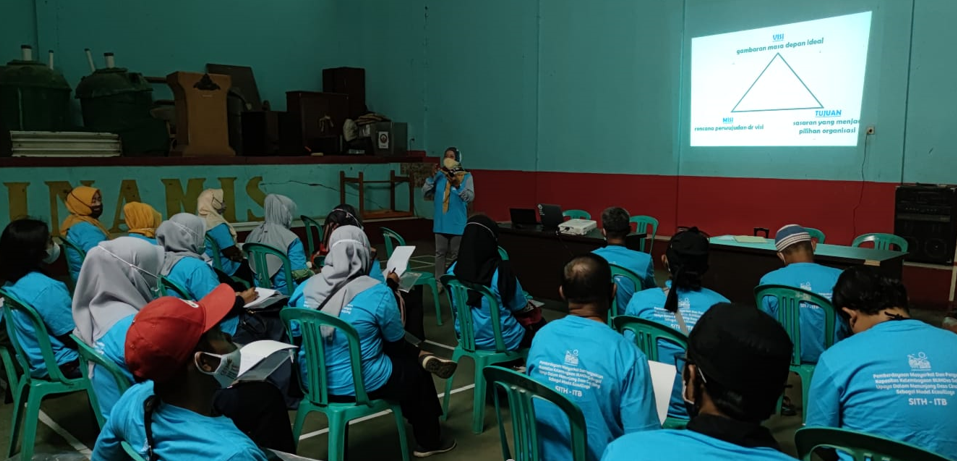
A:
x: 601, y: 372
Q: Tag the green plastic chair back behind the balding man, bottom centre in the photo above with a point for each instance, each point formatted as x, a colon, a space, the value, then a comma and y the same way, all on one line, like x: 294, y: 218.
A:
x: 521, y: 392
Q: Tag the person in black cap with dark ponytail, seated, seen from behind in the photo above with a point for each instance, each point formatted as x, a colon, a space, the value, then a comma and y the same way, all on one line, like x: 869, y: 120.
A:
x: 681, y: 303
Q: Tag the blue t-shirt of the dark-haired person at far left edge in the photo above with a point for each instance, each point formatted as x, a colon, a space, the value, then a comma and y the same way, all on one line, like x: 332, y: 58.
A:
x: 51, y: 300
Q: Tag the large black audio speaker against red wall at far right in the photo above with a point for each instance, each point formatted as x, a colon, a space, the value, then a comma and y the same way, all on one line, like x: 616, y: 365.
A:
x: 927, y: 217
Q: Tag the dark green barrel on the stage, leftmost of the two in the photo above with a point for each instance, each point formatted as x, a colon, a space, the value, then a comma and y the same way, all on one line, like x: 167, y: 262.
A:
x: 33, y: 97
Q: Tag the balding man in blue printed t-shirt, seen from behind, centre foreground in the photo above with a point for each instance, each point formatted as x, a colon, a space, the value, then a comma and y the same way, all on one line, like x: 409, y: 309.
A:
x: 621, y: 400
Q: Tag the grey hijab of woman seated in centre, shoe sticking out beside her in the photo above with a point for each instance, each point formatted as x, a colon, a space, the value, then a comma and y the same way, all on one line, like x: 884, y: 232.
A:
x: 344, y: 274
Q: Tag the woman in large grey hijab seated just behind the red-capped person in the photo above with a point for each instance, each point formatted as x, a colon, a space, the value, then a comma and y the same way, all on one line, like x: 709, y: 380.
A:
x: 118, y: 278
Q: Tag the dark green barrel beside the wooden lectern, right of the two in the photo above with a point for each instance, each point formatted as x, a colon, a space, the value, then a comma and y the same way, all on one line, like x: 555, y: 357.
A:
x: 118, y: 101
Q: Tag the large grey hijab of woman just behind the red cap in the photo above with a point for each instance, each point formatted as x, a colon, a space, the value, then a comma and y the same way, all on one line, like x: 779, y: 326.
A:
x: 117, y: 279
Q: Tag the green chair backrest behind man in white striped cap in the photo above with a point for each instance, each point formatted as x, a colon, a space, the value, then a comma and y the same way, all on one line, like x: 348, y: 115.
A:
x: 789, y: 301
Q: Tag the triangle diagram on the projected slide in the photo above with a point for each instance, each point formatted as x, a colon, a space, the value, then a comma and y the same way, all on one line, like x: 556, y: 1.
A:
x: 777, y: 87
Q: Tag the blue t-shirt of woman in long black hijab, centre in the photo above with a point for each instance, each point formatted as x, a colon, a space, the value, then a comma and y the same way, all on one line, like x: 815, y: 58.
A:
x: 512, y: 331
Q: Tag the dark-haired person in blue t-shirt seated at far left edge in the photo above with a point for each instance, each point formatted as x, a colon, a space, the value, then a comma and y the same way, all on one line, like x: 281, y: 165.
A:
x: 26, y: 247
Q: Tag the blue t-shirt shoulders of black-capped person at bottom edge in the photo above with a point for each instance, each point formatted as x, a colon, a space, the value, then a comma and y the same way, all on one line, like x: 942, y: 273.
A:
x: 684, y: 445
